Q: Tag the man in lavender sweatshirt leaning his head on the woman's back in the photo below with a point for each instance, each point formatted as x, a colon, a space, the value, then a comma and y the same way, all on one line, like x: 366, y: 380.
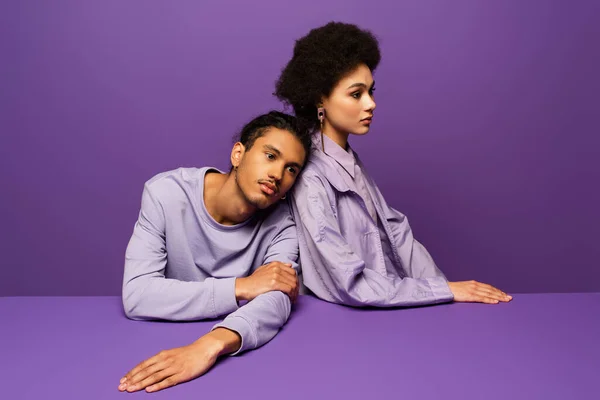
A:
x: 206, y: 240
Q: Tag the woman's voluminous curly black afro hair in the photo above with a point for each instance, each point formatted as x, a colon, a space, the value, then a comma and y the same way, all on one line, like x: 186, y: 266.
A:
x: 320, y: 60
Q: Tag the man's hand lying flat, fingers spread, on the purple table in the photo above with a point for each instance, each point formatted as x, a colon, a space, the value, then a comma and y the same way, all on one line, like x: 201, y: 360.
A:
x: 170, y: 367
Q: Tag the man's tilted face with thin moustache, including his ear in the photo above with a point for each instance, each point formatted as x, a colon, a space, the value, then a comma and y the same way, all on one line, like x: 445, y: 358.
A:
x: 269, y: 169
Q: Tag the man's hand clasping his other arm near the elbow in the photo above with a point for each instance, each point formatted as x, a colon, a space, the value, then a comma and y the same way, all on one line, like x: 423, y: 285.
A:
x: 269, y: 277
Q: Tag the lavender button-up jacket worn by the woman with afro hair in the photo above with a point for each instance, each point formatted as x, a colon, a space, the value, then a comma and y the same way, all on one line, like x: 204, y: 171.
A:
x: 342, y: 254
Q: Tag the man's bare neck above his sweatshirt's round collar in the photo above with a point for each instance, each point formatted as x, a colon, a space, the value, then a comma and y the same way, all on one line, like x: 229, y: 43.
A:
x: 224, y: 201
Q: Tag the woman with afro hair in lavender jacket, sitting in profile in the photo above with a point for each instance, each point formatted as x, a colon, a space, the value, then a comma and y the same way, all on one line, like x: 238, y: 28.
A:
x: 354, y: 248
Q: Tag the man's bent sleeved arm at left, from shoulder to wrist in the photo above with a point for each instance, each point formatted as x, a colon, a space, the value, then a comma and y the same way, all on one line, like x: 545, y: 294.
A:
x: 147, y: 294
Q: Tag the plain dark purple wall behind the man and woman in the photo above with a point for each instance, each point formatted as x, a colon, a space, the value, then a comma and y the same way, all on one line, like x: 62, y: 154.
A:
x: 486, y: 131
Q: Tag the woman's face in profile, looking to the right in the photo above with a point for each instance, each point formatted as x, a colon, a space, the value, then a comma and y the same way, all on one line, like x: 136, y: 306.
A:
x: 349, y: 107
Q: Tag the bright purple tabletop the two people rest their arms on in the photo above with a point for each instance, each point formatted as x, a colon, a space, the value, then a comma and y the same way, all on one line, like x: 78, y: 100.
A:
x: 538, y: 346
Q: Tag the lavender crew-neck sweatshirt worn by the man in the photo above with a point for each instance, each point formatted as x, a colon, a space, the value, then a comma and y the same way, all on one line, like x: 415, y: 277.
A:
x: 181, y: 265
